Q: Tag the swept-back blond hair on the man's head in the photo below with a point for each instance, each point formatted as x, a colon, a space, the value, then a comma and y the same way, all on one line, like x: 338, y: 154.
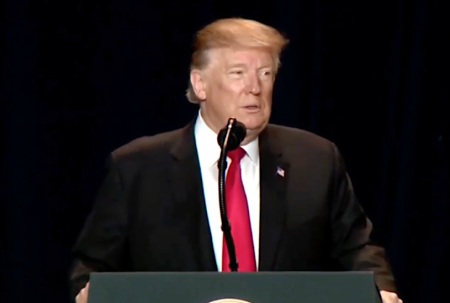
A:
x: 233, y: 32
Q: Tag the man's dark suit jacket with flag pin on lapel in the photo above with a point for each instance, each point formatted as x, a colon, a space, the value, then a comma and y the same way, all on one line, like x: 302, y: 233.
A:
x: 150, y: 212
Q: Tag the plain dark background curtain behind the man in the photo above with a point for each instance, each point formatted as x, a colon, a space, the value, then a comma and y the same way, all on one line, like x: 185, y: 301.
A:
x: 81, y: 78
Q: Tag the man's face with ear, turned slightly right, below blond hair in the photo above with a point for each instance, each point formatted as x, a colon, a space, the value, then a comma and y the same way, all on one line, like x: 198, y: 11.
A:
x: 239, y: 84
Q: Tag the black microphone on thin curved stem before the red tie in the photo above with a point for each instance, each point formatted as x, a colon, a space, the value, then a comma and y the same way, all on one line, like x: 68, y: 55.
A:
x: 229, y: 138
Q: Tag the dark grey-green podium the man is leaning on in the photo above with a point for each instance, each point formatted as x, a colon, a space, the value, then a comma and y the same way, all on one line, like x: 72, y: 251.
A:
x: 234, y: 287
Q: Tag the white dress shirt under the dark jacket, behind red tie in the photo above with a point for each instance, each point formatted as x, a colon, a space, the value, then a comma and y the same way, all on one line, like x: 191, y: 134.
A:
x: 208, y: 154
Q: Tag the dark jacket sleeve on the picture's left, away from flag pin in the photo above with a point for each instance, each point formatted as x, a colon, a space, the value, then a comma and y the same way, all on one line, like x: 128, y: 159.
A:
x: 102, y: 242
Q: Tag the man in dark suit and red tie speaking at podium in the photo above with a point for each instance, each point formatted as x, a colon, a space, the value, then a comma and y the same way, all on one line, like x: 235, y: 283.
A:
x: 290, y: 201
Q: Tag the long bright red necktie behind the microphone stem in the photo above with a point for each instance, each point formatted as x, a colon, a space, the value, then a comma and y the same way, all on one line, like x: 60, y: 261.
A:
x: 238, y: 216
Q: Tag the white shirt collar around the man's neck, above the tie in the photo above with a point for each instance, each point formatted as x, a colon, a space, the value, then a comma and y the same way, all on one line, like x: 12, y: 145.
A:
x: 209, y: 149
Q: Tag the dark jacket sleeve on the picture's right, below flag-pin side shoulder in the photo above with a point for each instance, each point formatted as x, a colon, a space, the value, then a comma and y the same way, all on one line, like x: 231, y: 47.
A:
x: 352, y: 246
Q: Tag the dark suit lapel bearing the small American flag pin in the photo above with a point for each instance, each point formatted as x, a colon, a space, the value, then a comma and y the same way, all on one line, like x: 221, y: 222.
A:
x: 273, y: 174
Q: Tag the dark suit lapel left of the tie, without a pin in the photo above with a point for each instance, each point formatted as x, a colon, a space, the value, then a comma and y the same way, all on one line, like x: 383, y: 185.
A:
x: 186, y: 186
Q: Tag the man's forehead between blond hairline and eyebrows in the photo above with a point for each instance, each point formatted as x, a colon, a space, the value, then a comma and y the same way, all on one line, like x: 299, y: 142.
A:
x: 226, y: 57
